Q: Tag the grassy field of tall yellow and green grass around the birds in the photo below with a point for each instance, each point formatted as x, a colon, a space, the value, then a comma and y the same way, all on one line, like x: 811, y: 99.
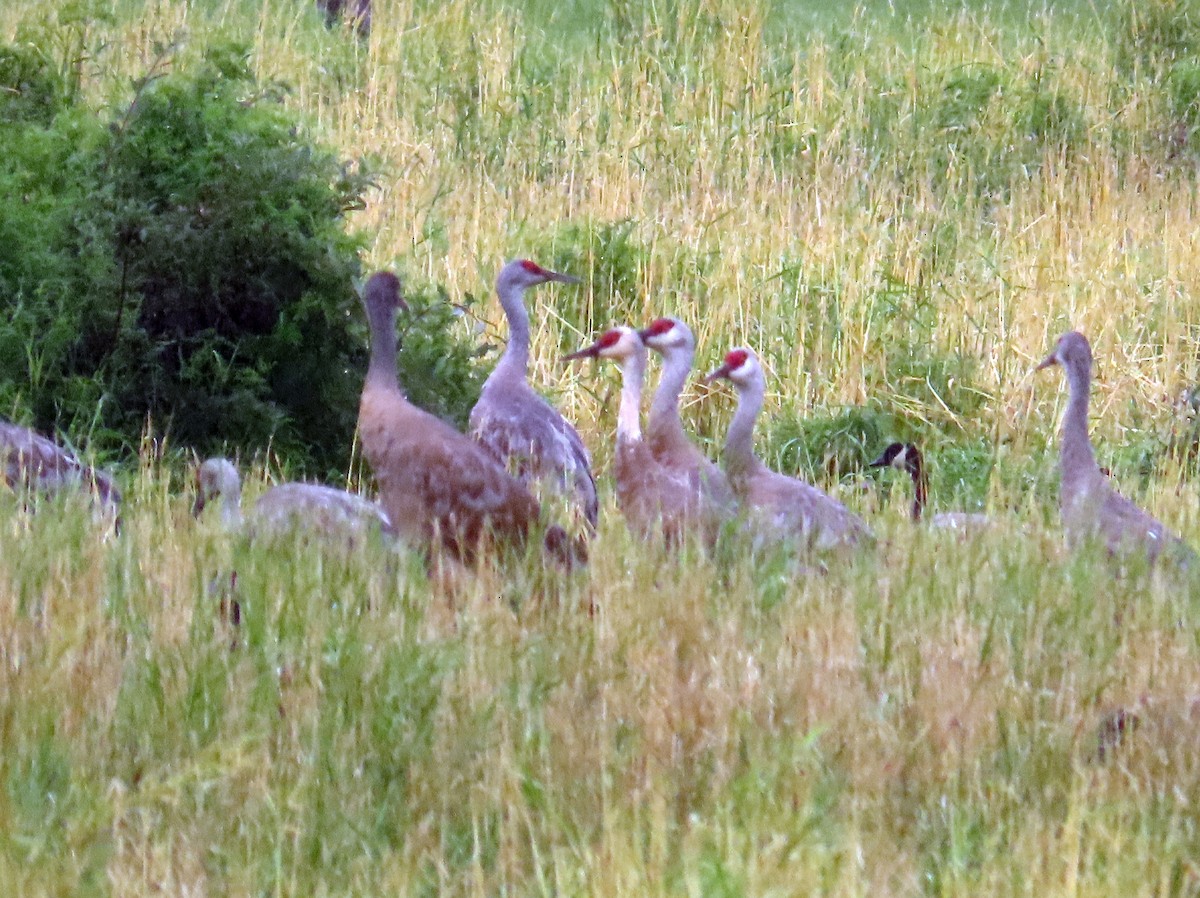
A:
x: 901, y: 207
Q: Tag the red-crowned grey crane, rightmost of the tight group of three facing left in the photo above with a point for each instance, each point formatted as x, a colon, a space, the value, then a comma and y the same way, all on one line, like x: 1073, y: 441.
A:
x: 778, y: 507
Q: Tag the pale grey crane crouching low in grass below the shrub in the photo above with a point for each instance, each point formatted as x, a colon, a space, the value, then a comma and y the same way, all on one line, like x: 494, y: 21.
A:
x: 309, y: 507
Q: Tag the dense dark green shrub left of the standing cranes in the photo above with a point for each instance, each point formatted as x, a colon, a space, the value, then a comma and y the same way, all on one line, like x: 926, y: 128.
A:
x: 185, y: 265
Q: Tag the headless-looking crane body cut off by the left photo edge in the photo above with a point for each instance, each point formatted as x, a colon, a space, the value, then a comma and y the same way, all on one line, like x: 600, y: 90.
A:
x: 34, y: 464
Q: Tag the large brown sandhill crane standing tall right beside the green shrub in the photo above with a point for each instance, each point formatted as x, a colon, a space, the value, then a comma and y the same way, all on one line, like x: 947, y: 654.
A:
x: 440, y: 488
